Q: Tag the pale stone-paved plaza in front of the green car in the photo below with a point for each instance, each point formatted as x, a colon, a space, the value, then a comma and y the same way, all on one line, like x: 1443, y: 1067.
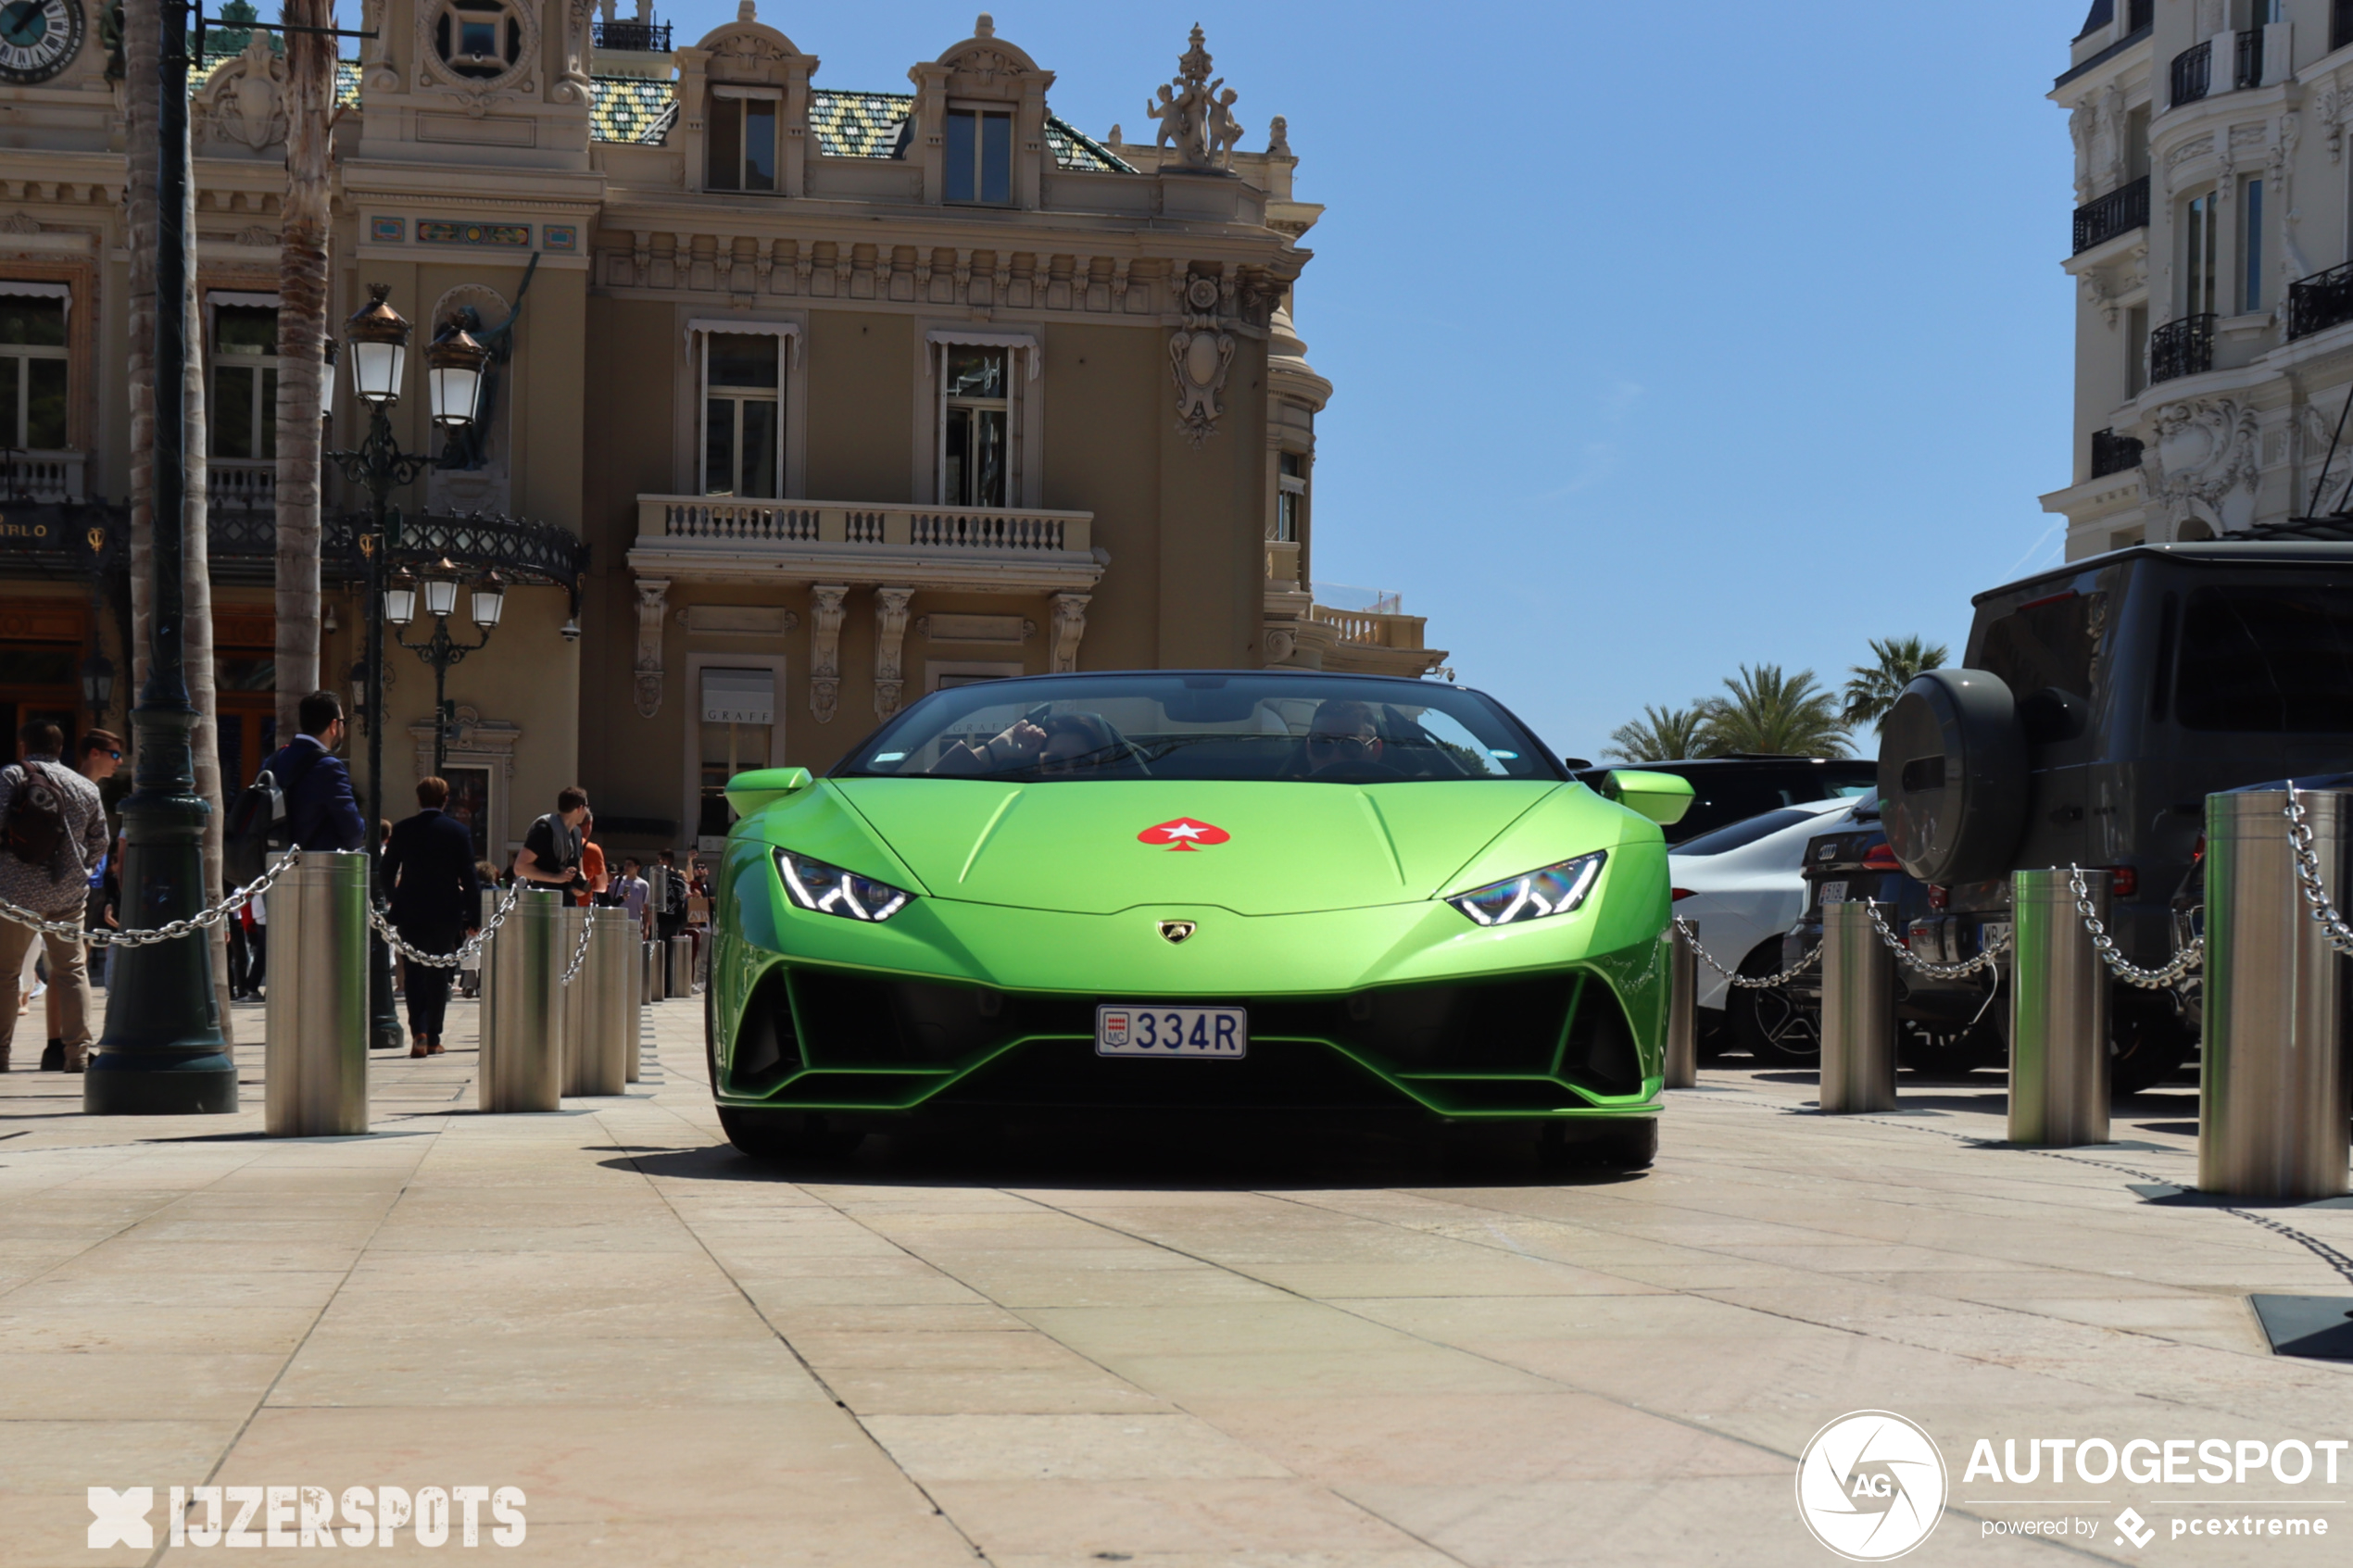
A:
x: 1058, y: 1353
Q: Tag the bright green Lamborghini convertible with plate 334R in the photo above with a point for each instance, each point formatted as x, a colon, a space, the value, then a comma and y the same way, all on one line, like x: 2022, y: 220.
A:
x: 1194, y: 892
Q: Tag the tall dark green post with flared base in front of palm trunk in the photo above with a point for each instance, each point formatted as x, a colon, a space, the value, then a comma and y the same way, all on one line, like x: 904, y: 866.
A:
x: 164, y: 1052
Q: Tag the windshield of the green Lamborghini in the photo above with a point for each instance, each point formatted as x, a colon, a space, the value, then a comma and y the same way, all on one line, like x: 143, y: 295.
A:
x: 1248, y: 728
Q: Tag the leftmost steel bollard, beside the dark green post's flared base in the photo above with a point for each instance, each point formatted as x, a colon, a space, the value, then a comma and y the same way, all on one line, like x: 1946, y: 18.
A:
x: 316, y: 1057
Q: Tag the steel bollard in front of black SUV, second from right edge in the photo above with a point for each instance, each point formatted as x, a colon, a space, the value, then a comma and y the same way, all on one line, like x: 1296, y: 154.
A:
x: 2058, y: 1014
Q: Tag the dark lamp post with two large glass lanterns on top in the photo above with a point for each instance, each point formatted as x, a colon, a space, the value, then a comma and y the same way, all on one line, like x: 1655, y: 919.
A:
x: 380, y: 344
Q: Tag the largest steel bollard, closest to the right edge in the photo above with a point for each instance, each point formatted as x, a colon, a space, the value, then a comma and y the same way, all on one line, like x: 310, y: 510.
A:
x: 2272, y: 1097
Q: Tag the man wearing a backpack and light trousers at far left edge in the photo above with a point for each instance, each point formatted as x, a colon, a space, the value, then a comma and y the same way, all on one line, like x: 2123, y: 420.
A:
x: 53, y: 831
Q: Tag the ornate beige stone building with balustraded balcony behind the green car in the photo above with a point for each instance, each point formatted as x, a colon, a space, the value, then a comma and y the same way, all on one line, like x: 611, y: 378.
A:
x: 846, y: 394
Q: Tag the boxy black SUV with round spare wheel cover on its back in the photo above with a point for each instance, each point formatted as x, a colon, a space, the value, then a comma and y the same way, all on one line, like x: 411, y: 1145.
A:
x: 2095, y: 711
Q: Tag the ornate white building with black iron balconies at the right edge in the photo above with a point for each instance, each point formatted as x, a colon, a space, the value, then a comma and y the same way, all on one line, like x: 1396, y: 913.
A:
x: 2211, y: 250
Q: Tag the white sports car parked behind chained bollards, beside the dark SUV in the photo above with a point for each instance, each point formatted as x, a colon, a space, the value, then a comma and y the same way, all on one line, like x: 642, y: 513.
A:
x: 1742, y: 887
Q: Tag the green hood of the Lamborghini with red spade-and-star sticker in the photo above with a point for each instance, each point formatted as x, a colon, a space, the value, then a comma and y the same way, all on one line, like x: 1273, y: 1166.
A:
x: 1251, y: 847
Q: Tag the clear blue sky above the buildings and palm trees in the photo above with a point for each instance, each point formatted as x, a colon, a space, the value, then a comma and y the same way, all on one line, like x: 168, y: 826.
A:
x: 1665, y: 337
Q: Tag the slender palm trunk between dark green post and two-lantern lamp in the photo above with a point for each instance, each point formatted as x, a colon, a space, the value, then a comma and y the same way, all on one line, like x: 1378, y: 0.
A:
x: 302, y: 326
